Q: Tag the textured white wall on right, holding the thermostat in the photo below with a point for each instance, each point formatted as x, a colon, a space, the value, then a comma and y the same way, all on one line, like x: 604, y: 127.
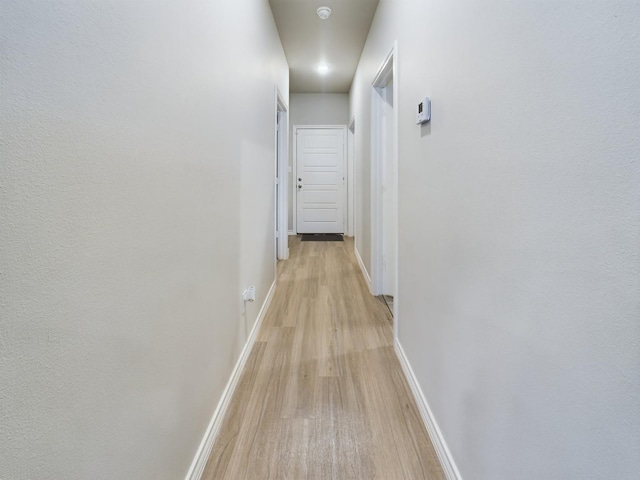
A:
x: 519, y: 228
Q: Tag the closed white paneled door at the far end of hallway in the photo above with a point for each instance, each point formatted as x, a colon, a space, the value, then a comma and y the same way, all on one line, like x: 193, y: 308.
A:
x: 320, y: 180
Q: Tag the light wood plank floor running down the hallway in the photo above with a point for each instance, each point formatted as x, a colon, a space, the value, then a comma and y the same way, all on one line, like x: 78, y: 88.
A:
x: 323, y: 395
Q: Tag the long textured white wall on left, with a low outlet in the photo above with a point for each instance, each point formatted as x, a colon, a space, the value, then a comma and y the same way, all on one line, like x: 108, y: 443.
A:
x: 136, y: 203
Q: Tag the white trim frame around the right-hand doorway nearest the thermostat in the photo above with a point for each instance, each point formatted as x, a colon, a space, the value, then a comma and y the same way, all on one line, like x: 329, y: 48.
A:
x: 387, y: 71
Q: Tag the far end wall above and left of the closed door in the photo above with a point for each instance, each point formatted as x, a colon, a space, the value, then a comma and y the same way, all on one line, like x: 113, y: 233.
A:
x: 313, y: 109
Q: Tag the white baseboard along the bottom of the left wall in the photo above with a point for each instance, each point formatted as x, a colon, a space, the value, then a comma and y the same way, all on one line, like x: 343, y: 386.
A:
x: 204, y: 450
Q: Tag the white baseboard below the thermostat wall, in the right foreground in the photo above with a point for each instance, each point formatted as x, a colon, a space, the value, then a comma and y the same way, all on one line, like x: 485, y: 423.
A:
x: 444, y: 455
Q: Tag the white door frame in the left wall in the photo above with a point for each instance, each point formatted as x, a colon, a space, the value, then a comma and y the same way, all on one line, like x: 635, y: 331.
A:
x: 281, y: 233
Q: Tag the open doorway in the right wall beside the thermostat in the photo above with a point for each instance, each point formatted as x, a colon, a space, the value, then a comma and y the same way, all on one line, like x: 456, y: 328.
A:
x: 384, y: 170
